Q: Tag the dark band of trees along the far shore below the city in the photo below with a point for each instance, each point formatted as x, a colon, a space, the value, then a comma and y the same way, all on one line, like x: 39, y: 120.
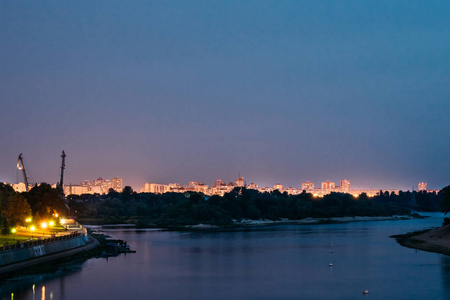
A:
x: 194, y: 208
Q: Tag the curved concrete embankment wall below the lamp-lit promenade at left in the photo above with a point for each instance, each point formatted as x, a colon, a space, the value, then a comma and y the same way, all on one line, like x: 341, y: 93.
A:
x: 20, y: 256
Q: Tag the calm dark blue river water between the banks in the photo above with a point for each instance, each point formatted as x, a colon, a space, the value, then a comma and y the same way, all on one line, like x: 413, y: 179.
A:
x: 279, y: 262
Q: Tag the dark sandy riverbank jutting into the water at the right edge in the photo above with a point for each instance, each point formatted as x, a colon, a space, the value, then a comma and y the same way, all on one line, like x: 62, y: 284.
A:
x: 431, y: 240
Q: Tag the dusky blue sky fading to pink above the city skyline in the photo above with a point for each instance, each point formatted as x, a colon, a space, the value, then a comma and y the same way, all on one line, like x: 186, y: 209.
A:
x: 276, y: 91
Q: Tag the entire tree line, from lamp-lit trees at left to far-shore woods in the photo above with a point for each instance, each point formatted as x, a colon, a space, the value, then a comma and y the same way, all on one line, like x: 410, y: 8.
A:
x: 190, y: 208
